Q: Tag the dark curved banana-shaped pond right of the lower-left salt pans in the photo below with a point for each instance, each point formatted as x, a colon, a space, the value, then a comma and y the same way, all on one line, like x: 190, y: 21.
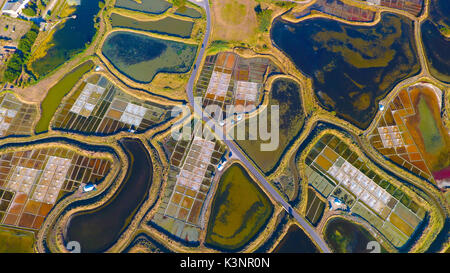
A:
x: 99, y: 229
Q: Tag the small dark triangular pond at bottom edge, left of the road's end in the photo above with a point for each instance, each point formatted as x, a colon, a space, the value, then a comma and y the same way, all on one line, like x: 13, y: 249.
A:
x: 296, y: 241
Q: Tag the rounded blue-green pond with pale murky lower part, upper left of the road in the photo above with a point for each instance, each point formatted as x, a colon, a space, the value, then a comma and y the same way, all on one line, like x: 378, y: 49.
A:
x: 141, y: 57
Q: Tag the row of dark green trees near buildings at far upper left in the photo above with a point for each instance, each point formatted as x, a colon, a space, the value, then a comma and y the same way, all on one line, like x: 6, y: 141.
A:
x: 21, y: 56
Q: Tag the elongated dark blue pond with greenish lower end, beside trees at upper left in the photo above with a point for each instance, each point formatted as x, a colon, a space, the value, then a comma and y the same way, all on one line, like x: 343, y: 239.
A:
x: 69, y: 39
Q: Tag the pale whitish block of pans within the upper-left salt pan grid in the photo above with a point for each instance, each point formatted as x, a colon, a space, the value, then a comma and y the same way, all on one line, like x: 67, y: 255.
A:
x: 85, y: 103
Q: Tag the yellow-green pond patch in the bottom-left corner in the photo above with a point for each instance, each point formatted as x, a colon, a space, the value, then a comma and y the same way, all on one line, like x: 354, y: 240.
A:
x: 16, y: 241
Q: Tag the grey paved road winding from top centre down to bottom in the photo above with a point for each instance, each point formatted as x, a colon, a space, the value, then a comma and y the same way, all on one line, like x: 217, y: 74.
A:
x: 232, y: 145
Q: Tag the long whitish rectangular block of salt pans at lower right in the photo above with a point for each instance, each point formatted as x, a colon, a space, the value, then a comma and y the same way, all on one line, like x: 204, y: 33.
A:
x: 360, y: 185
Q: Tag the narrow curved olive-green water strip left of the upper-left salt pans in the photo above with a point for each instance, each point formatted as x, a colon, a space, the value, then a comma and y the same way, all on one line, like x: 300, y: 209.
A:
x: 56, y: 94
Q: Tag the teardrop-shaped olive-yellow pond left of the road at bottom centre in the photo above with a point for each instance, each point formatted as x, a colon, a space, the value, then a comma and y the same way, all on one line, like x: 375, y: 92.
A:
x: 239, y: 210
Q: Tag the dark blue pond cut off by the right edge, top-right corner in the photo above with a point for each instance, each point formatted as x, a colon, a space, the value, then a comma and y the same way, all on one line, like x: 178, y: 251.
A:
x: 437, y: 46
